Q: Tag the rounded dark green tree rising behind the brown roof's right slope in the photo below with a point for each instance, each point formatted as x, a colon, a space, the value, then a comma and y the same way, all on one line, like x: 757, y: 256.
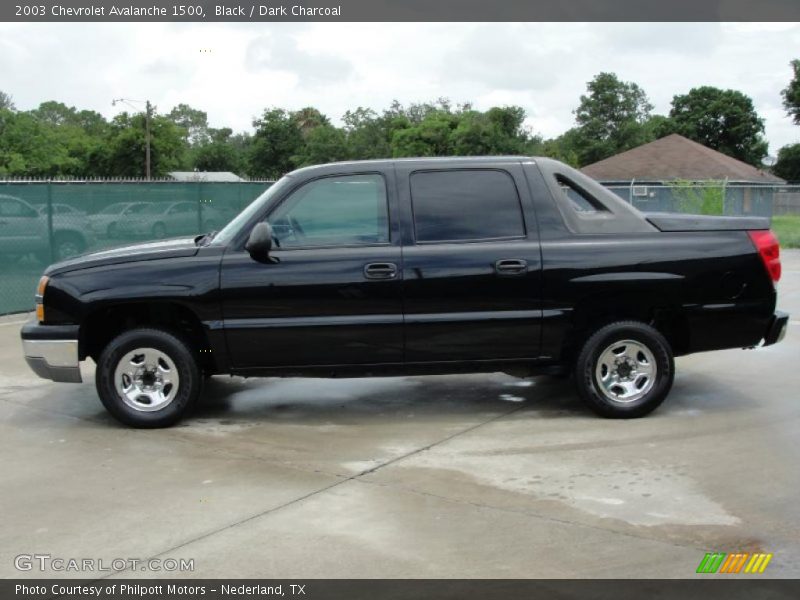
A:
x: 724, y: 120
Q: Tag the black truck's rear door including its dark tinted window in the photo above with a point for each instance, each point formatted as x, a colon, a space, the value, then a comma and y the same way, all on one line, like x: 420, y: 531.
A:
x: 472, y: 264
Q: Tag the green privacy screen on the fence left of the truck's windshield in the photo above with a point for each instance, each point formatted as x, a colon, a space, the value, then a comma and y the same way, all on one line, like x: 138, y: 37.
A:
x: 42, y: 222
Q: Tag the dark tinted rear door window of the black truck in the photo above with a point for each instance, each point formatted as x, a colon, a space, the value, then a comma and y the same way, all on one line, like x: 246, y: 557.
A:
x: 465, y: 205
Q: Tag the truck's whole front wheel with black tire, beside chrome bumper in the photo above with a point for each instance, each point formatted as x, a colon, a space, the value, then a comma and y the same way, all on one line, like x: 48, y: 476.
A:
x: 159, y: 399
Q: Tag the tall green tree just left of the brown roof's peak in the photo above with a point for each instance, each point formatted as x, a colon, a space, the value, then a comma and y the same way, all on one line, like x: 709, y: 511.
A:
x: 610, y: 118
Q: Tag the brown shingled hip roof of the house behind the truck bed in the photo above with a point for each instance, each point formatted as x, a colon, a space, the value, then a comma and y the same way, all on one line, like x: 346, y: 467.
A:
x: 675, y: 157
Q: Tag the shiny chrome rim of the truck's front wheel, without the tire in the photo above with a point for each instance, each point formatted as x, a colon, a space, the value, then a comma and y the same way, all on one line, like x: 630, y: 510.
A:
x: 146, y: 379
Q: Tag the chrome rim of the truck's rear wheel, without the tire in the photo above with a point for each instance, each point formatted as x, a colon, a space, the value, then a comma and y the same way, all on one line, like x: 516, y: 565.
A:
x: 626, y: 371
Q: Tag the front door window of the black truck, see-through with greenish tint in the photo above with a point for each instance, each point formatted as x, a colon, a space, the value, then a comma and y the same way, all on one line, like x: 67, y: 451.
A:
x: 345, y: 210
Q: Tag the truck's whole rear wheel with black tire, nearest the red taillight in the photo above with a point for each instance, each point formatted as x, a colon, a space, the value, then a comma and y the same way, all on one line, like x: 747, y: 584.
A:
x: 625, y: 370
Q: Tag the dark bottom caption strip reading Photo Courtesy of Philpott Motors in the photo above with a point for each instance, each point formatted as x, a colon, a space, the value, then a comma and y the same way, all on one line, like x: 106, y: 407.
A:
x: 729, y: 588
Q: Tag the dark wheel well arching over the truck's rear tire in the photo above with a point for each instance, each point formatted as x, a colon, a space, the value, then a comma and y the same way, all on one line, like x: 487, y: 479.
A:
x: 669, y: 321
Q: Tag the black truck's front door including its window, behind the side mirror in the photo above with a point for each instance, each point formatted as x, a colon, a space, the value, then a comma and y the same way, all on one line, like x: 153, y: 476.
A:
x: 331, y: 296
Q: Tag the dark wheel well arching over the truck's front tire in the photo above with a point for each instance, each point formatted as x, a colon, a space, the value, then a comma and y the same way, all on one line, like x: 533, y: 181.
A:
x: 105, y: 324
